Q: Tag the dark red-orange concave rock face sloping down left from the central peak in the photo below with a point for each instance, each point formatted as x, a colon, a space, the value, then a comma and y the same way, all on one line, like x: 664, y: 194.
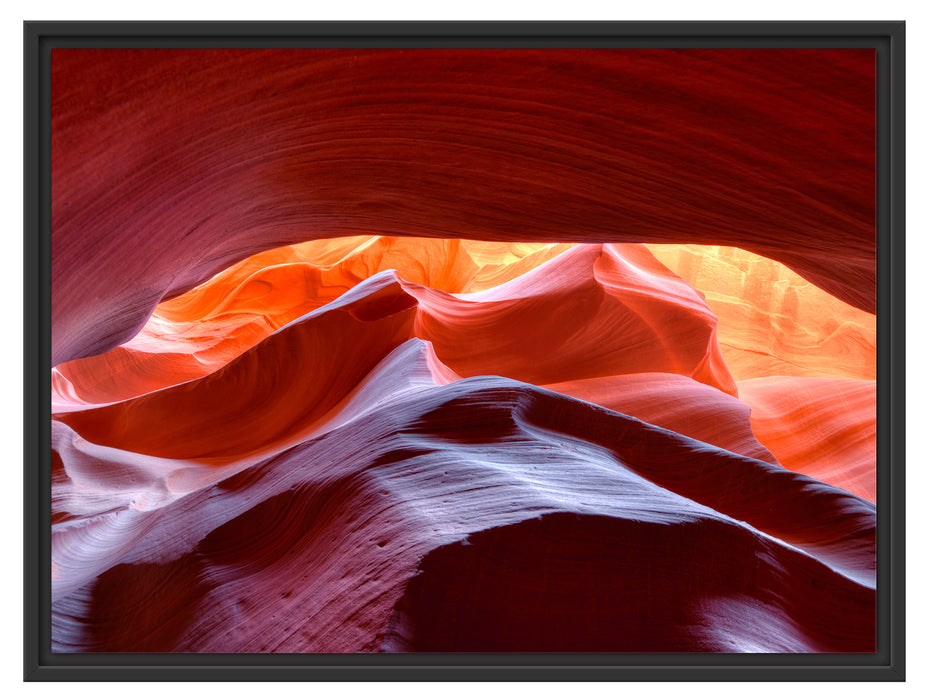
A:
x: 283, y: 385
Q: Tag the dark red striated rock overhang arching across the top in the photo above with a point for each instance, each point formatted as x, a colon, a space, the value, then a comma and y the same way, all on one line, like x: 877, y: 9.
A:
x: 213, y: 155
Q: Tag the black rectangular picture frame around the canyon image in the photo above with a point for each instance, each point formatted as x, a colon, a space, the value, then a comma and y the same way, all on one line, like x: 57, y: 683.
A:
x: 887, y: 664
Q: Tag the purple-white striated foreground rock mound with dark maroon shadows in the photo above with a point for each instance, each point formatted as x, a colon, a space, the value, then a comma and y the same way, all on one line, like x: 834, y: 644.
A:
x: 316, y: 547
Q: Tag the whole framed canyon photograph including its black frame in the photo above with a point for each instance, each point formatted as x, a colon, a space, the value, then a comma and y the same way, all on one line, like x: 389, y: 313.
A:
x: 464, y: 351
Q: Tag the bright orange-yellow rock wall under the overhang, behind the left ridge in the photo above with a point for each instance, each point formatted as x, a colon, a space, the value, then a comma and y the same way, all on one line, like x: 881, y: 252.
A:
x: 196, y: 333
